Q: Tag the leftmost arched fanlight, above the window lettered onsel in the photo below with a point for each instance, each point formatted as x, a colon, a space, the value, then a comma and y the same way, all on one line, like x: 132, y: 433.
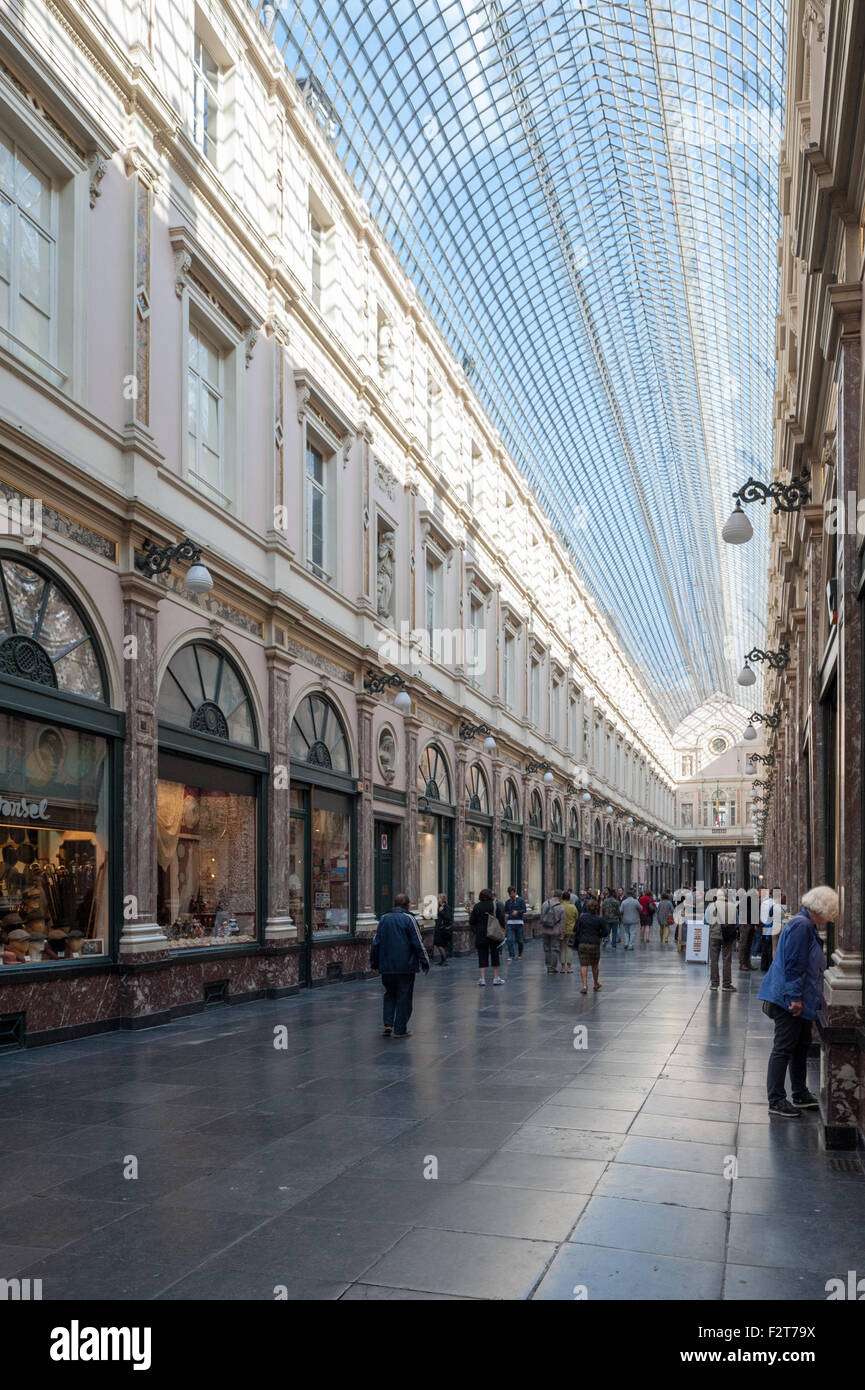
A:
x: 44, y: 635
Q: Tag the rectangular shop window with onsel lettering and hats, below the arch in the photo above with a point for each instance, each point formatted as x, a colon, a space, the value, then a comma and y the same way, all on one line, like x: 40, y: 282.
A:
x: 54, y: 843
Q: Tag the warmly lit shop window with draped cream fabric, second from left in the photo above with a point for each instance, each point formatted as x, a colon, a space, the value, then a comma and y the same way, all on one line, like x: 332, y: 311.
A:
x: 207, y: 854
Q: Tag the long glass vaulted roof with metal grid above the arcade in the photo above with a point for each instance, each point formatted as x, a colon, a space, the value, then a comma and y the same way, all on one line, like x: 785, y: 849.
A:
x: 583, y: 194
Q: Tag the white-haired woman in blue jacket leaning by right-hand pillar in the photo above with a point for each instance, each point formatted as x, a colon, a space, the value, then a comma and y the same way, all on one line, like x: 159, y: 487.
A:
x: 792, y: 992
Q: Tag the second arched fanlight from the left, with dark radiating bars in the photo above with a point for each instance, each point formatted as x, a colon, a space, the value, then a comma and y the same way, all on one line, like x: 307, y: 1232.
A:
x: 204, y: 692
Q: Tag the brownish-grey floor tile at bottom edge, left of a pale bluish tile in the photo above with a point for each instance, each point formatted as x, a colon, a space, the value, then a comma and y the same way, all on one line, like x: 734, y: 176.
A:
x: 455, y: 1263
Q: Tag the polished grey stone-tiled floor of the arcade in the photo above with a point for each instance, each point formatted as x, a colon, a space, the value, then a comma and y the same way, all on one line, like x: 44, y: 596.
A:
x: 301, y: 1168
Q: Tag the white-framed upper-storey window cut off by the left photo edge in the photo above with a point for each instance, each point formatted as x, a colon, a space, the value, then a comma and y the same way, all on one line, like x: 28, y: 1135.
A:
x: 29, y: 251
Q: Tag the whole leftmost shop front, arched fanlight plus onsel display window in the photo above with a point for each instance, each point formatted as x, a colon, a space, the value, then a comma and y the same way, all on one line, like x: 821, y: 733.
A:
x: 60, y: 761
